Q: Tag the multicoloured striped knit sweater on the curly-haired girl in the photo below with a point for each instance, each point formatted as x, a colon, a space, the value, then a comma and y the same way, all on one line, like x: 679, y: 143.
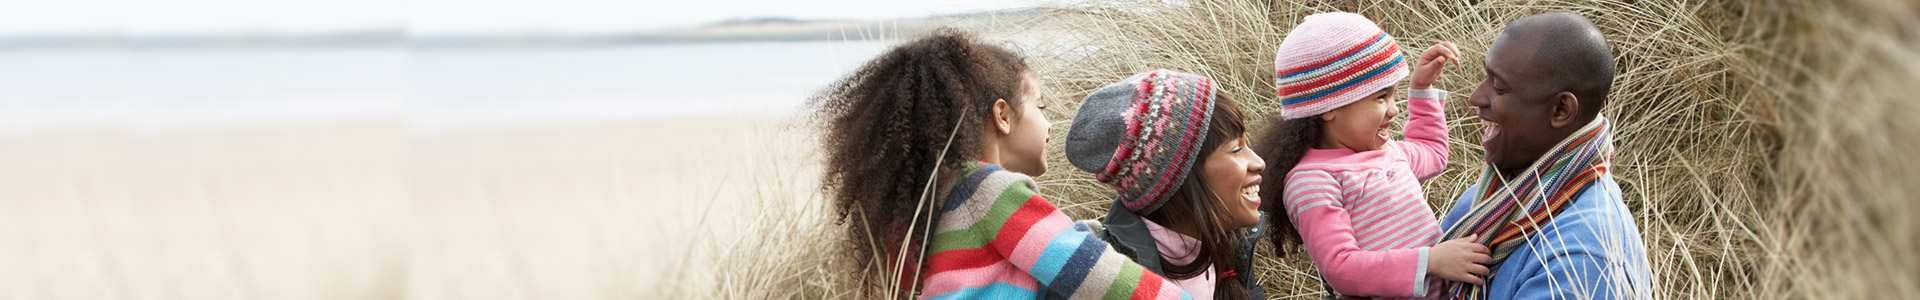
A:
x: 997, y: 237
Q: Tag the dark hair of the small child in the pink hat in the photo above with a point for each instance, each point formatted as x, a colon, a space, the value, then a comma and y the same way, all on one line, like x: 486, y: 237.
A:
x: 1284, y: 143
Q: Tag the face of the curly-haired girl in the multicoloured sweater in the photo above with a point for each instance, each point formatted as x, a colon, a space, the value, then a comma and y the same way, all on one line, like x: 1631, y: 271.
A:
x: 1024, y: 145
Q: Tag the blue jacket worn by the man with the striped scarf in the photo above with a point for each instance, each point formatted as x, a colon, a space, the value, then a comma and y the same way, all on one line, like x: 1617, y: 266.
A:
x: 1591, y: 251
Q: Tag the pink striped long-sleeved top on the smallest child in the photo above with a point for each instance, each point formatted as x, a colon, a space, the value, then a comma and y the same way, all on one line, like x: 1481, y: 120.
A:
x: 1364, y: 218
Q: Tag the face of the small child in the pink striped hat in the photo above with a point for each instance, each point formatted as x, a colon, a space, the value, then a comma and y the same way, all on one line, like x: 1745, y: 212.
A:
x: 1360, y: 126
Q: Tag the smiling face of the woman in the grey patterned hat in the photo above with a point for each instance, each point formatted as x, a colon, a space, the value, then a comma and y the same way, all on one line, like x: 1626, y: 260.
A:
x: 1234, y: 176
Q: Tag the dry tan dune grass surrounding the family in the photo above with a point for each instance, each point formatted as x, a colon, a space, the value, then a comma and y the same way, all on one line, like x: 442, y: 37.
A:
x: 1760, y: 143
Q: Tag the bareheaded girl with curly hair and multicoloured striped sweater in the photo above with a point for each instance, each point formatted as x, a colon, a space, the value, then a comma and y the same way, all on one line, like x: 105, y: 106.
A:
x: 928, y: 157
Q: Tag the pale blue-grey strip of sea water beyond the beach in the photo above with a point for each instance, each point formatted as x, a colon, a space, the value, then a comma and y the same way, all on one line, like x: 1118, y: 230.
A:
x: 429, y: 87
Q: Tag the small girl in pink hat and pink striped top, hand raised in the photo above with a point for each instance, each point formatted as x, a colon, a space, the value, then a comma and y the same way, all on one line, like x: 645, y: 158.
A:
x: 1353, y: 193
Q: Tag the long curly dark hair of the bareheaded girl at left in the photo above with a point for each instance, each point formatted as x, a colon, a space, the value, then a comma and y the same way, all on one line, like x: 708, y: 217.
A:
x: 896, y: 134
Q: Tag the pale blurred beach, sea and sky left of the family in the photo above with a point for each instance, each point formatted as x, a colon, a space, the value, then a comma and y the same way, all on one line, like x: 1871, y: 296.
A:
x: 423, y: 149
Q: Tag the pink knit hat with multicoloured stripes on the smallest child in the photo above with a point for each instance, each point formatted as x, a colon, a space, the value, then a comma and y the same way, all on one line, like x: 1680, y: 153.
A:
x: 1332, y: 61
